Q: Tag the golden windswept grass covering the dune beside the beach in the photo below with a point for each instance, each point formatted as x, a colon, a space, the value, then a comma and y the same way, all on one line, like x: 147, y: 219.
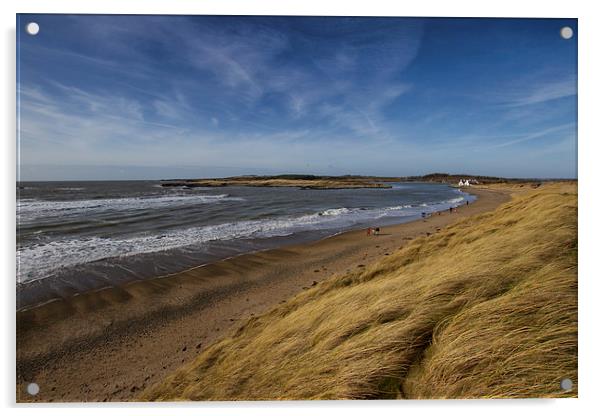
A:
x: 487, y: 308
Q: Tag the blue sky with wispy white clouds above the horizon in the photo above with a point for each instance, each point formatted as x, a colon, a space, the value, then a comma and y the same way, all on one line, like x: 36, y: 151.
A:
x: 151, y: 97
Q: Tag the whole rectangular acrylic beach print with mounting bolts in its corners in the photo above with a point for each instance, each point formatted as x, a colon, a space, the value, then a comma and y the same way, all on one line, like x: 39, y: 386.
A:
x: 295, y: 208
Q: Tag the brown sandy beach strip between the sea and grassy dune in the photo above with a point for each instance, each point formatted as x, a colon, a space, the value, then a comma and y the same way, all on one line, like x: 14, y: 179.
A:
x: 109, y: 344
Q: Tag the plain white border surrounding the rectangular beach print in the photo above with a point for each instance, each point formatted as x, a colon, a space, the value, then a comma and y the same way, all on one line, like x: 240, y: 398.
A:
x: 590, y: 70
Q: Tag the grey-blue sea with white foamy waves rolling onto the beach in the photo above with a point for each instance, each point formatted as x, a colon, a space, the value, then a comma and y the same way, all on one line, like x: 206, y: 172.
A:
x: 77, y: 236
